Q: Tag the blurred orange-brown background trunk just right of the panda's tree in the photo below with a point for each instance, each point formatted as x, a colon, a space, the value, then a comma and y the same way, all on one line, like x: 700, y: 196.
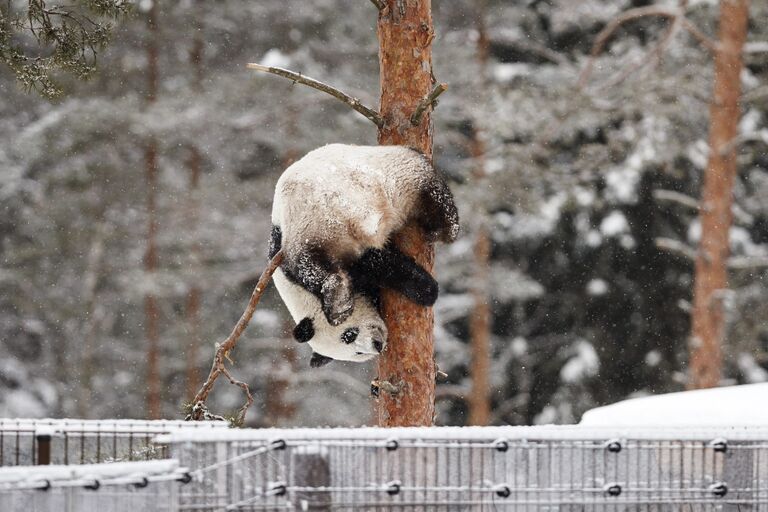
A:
x: 480, y: 320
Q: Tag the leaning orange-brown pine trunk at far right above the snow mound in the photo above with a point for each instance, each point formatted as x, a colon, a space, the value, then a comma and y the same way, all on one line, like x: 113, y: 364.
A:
x: 711, y: 279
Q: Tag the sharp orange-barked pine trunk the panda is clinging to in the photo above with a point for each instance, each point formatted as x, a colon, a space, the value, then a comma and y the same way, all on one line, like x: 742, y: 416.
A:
x: 405, y: 63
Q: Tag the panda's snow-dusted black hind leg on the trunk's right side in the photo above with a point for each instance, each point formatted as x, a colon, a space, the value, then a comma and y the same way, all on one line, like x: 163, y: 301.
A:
x: 437, y: 211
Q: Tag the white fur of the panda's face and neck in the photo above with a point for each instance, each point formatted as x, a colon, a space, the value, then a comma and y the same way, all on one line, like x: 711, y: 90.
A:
x: 327, y: 339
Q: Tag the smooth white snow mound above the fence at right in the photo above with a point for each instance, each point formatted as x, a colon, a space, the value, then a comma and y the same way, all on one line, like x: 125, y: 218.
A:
x: 718, y: 407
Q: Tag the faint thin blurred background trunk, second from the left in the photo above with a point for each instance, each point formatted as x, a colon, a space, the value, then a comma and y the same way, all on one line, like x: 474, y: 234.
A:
x: 192, y: 309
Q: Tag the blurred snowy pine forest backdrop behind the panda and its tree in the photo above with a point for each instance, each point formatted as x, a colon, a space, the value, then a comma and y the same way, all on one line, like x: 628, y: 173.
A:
x: 135, y: 206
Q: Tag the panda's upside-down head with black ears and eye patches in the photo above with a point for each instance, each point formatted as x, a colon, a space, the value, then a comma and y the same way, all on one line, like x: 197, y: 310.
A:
x: 359, y: 338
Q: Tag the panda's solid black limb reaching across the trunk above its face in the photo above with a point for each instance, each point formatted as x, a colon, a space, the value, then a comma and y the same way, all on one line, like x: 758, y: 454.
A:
x: 390, y: 268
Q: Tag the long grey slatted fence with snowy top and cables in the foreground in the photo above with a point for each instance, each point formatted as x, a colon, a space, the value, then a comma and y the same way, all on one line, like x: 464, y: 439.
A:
x: 506, y: 468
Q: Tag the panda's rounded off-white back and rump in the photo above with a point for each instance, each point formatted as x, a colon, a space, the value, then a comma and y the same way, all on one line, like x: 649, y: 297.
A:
x: 347, y: 198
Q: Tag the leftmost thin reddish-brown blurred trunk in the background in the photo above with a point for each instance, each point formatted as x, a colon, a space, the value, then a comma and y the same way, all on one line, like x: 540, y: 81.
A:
x: 150, y: 257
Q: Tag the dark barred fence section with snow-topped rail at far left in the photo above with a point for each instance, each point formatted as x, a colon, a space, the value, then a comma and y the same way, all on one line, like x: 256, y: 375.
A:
x: 52, y: 441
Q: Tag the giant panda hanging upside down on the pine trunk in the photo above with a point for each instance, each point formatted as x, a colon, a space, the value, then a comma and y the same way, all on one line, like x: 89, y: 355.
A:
x: 333, y: 214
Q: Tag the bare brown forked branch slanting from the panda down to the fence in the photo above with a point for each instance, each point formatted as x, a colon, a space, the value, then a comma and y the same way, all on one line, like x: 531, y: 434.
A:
x: 223, y: 349
